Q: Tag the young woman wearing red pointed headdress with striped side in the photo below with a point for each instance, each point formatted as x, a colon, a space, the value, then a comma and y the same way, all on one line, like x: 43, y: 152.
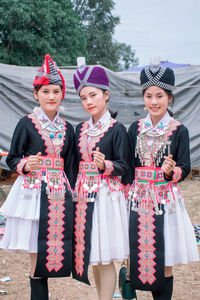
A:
x: 39, y: 208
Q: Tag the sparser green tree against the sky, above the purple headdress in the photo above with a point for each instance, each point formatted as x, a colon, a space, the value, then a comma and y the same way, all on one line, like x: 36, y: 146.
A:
x: 99, y: 23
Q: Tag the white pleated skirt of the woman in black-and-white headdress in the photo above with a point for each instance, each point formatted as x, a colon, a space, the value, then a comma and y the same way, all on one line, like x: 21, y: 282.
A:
x: 180, y: 240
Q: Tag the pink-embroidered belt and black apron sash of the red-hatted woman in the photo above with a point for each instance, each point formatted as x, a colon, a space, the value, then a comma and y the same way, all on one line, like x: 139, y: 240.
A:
x: 52, y: 247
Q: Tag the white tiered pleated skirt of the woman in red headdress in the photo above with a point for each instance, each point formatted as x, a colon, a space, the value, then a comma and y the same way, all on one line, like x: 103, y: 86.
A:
x: 21, y: 210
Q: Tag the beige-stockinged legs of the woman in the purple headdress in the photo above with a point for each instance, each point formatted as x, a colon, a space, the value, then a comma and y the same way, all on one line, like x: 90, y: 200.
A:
x: 108, y: 279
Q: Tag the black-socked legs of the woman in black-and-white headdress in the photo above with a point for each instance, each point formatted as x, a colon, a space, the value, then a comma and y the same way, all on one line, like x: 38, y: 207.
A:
x: 167, y: 293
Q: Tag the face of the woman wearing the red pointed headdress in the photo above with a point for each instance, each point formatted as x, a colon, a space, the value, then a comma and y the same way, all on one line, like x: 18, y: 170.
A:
x: 49, y: 97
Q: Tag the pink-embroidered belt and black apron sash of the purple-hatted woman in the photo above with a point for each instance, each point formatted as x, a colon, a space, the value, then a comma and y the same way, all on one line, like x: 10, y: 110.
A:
x: 89, y: 182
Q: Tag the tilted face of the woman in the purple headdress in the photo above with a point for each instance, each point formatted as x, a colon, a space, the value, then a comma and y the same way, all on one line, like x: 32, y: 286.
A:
x: 94, y: 101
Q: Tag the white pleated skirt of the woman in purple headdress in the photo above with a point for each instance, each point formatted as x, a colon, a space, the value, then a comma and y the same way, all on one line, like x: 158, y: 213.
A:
x: 109, y: 237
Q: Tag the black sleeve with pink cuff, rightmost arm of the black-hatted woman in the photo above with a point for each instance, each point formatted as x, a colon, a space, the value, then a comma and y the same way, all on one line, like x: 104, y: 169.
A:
x: 181, y: 155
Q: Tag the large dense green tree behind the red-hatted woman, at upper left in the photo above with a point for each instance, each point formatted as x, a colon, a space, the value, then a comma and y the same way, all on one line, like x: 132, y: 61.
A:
x: 31, y: 28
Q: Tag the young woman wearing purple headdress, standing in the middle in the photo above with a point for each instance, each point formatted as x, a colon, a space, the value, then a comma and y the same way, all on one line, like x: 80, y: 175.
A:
x: 100, y: 210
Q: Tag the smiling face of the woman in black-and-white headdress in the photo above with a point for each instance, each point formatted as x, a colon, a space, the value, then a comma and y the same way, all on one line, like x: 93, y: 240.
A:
x: 156, y: 102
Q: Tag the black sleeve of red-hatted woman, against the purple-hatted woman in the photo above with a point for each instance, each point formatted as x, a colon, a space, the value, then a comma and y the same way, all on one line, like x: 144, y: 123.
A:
x: 70, y: 159
